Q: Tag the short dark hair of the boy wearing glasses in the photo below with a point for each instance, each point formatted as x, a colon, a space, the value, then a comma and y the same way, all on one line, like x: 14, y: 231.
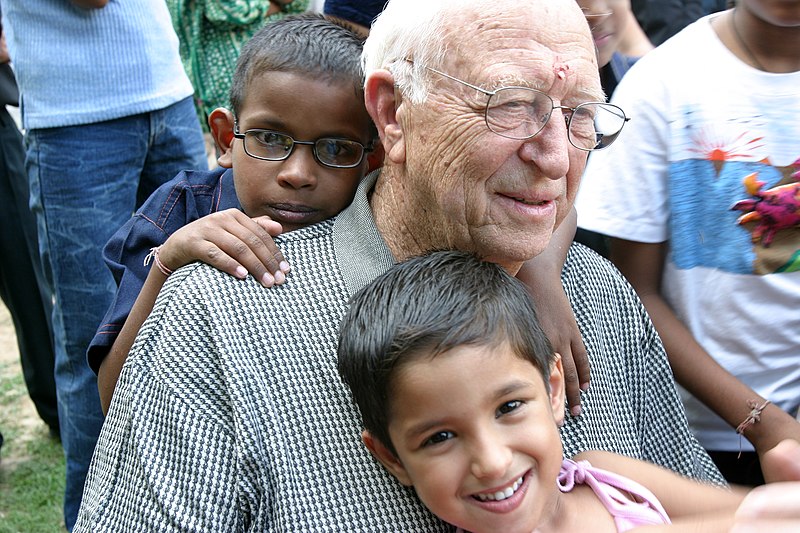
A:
x: 307, y: 44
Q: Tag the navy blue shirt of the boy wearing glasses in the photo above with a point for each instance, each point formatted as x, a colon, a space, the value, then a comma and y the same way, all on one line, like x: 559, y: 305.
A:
x: 187, y: 197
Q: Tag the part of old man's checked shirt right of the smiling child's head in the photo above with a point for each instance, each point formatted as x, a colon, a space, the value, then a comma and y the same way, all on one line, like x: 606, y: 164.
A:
x: 632, y: 406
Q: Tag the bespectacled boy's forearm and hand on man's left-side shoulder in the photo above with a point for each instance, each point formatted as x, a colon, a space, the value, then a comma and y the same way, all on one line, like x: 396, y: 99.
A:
x: 227, y: 240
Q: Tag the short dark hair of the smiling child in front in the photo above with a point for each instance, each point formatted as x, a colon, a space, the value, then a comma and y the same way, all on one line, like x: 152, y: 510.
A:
x: 424, y: 307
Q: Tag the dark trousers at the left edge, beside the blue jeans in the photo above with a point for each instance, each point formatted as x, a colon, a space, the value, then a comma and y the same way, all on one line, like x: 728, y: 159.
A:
x: 22, y: 285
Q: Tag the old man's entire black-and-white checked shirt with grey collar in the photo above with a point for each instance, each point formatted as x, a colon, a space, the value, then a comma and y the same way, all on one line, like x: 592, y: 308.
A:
x: 229, y: 414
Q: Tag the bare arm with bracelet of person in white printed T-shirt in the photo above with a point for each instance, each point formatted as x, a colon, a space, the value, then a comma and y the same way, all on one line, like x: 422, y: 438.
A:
x: 642, y: 264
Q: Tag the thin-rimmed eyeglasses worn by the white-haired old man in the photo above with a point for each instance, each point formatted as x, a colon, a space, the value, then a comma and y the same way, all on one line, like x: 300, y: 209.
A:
x: 521, y: 113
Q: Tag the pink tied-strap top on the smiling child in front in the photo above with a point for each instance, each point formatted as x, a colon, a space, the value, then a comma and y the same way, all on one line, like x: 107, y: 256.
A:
x: 629, y: 503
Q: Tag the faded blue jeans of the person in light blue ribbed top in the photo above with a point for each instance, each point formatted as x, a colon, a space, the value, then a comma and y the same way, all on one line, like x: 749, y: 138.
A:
x: 86, y: 181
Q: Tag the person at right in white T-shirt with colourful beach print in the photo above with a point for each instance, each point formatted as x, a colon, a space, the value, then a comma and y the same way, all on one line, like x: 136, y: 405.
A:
x: 723, y: 291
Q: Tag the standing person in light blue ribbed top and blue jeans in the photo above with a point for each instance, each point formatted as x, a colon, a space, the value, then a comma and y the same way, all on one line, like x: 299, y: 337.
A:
x: 108, y: 116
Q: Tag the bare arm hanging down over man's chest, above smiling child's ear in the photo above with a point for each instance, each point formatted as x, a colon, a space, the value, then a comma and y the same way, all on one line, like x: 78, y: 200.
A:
x: 542, y: 276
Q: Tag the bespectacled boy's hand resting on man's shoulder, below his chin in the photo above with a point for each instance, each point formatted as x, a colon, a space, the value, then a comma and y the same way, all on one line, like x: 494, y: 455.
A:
x: 232, y: 242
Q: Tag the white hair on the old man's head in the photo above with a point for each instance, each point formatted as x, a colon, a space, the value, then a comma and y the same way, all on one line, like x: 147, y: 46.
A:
x: 410, y: 29
